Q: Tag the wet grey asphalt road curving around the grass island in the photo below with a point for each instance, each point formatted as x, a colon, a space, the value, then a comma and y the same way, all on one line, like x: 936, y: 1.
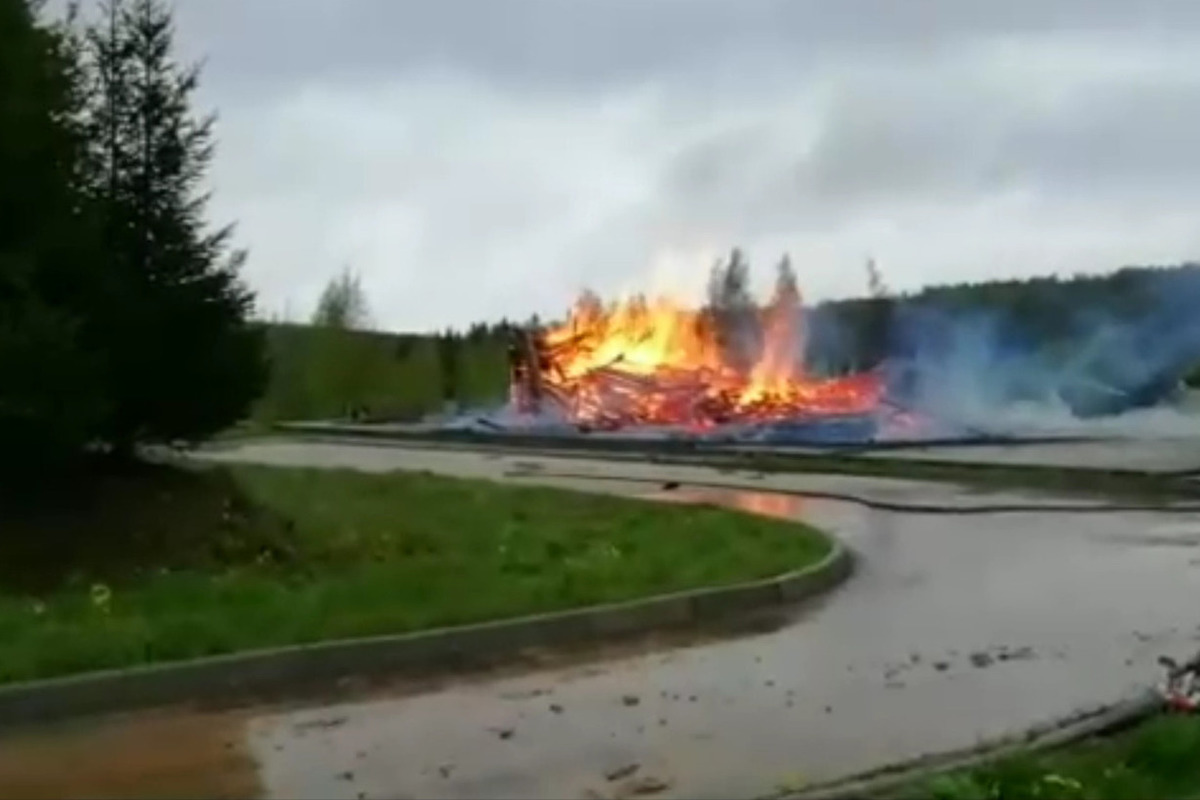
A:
x: 955, y: 628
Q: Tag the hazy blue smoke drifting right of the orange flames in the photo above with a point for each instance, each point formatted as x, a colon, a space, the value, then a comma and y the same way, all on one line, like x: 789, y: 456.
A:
x: 1105, y: 354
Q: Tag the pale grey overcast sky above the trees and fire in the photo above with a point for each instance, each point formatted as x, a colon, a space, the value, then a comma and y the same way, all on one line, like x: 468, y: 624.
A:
x: 481, y: 159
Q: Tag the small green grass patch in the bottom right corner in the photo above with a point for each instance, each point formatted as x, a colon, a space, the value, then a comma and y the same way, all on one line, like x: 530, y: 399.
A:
x: 1160, y: 759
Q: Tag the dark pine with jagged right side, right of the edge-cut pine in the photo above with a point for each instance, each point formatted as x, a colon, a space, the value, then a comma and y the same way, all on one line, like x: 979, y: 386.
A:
x: 184, y: 359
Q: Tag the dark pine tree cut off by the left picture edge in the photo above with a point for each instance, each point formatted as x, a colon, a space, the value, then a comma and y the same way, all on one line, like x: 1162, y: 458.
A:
x: 51, y: 396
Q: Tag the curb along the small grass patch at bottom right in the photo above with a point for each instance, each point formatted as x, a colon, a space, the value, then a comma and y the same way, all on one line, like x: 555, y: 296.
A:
x: 886, y: 780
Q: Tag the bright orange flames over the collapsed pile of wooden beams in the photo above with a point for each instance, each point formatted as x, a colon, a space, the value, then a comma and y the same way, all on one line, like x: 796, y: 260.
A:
x: 662, y: 363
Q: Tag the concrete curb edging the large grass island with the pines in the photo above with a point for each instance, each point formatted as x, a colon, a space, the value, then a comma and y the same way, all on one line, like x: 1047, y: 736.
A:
x: 295, y: 669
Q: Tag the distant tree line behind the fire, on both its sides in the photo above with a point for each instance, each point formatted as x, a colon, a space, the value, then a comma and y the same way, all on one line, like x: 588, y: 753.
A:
x: 1138, y: 322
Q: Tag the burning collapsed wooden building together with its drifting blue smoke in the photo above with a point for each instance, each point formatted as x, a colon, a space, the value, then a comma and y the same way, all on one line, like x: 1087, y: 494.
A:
x: 919, y: 371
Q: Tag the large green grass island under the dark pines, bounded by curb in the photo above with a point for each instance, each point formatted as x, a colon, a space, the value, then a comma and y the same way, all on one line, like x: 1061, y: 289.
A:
x: 158, y: 563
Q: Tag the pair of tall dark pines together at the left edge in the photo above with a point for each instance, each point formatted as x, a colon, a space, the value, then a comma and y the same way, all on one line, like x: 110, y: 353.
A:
x: 124, y: 320
